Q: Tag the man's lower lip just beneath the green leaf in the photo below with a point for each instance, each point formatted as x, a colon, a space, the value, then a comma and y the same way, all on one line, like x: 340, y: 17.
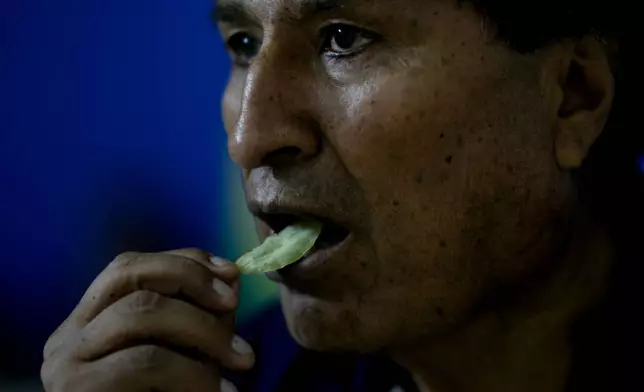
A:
x: 310, y: 266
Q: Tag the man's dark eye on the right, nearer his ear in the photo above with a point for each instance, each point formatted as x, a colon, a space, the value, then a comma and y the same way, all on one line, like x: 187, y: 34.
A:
x: 345, y: 40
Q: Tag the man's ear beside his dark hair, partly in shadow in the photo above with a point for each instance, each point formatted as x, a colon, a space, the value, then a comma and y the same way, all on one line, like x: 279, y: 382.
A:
x: 585, y: 97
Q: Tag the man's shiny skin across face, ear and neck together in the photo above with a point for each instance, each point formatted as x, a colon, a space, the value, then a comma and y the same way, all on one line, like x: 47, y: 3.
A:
x: 446, y: 154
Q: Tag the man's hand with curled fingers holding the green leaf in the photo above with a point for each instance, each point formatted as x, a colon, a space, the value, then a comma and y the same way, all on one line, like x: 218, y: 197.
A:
x: 151, y: 322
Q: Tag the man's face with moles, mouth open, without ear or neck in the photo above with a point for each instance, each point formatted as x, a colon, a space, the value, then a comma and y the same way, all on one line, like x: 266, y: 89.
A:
x: 409, y: 125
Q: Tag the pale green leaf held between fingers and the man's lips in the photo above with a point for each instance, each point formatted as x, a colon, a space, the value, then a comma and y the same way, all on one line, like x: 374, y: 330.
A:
x: 280, y: 250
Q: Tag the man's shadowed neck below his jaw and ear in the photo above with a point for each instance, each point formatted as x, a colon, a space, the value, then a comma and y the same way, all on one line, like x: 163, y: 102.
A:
x: 523, y: 348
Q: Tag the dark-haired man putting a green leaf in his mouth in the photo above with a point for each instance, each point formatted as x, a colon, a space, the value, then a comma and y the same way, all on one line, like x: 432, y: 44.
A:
x: 457, y: 154
